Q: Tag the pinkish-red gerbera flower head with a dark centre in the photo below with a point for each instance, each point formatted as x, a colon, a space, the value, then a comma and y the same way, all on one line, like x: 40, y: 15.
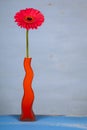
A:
x: 29, y: 18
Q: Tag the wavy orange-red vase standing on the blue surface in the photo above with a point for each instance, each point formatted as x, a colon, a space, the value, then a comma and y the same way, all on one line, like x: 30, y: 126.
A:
x: 28, y: 97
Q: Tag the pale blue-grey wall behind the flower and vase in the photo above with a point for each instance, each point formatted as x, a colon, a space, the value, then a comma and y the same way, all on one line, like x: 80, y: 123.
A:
x: 59, y: 57
